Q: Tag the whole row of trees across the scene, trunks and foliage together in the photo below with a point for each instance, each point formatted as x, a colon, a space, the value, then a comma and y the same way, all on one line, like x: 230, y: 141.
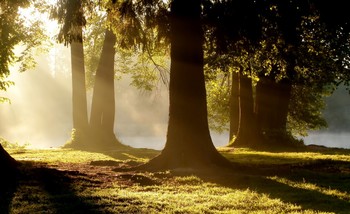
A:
x: 266, y: 65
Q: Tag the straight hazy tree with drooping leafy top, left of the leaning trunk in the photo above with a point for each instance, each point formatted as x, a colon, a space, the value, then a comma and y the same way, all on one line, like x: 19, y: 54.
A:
x: 70, y: 16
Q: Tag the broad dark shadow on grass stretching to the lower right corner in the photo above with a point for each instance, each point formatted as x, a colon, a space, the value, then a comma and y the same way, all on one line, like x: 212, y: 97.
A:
x: 259, y: 180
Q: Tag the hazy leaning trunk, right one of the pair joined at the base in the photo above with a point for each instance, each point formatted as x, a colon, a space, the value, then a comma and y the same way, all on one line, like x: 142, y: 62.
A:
x: 103, y: 100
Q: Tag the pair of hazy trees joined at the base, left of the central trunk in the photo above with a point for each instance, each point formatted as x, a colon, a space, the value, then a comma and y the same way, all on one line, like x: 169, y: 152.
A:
x: 98, y: 132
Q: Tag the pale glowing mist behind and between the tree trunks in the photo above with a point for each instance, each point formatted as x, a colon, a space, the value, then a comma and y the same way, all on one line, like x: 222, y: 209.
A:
x: 40, y: 113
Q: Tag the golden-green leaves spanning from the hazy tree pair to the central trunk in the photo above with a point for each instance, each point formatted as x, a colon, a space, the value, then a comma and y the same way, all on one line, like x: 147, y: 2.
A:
x: 141, y: 51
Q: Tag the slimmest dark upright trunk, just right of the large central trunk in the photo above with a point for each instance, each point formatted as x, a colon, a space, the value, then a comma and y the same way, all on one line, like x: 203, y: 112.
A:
x: 234, y: 106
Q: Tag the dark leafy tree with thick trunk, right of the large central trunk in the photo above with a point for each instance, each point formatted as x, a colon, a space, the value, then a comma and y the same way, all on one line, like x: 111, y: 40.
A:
x: 276, y: 31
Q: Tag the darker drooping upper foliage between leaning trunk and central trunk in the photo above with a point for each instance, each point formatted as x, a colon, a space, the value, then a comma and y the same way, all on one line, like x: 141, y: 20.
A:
x: 141, y: 24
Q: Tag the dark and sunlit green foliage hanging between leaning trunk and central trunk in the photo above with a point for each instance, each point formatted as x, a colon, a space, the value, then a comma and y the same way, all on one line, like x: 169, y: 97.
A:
x: 141, y: 28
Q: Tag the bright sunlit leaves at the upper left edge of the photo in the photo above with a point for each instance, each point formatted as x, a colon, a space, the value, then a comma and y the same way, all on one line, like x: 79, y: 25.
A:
x: 20, y: 37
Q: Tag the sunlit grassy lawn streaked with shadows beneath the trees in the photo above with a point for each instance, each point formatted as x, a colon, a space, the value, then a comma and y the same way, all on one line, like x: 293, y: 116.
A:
x: 69, y: 181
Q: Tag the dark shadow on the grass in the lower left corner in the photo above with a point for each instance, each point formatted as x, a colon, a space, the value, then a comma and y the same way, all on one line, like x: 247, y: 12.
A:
x: 45, y: 190
